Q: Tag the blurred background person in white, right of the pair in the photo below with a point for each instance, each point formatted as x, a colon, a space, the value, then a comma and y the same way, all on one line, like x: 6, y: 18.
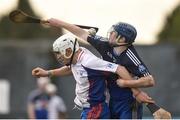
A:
x: 56, y: 106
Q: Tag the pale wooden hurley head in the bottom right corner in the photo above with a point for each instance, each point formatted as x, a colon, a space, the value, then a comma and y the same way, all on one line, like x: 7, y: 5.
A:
x: 162, y: 114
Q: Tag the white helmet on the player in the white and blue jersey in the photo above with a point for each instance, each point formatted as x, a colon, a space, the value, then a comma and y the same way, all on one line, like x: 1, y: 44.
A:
x: 64, y: 42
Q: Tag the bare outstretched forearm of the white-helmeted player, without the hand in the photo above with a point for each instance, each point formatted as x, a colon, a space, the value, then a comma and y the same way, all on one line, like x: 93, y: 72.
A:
x: 63, y: 71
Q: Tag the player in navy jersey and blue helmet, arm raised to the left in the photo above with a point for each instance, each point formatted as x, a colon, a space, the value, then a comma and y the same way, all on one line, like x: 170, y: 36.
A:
x: 118, y: 48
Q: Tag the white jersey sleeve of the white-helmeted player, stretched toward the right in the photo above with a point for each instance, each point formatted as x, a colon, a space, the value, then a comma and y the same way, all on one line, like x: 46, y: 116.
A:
x: 96, y: 63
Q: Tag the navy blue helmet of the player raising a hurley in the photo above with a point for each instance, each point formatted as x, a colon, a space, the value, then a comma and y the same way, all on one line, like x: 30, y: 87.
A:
x: 125, y: 30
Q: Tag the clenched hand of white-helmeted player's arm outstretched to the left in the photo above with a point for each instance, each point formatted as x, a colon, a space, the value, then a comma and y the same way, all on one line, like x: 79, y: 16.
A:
x: 39, y: 72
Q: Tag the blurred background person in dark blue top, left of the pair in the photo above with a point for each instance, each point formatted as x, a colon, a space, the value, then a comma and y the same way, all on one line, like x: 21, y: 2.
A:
x: 37, y: 106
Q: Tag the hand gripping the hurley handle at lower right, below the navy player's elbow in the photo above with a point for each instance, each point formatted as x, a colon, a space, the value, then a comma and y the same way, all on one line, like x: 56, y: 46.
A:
x: 143, y: 97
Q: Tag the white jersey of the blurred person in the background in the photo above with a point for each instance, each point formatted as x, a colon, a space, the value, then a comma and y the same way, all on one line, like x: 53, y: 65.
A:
x: 55, y: 106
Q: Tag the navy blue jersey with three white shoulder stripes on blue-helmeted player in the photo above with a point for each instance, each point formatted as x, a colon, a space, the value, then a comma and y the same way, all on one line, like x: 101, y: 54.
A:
x: 127, y: 58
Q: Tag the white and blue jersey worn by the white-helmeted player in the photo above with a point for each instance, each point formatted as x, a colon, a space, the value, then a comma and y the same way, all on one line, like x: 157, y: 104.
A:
x: 89, y: 73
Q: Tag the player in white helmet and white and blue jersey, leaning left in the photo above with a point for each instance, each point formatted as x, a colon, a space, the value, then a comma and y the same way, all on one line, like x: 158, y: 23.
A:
x: 90, y: 74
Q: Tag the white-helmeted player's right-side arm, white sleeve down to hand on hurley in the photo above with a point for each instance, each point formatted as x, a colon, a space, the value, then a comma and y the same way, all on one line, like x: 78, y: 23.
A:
x: 98, y: 64
